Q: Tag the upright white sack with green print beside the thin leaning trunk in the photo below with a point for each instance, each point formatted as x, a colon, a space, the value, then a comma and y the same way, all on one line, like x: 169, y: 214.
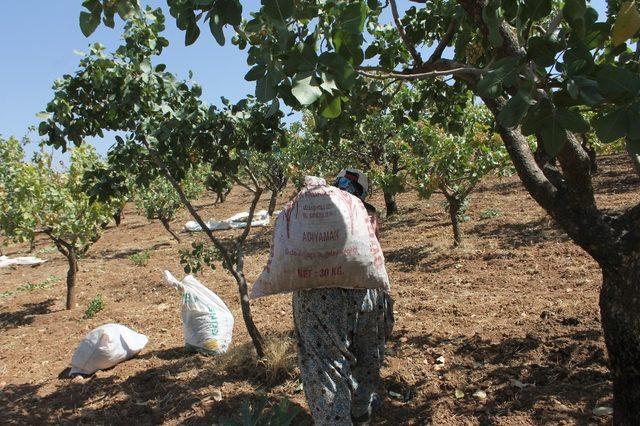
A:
x: 208, y: 323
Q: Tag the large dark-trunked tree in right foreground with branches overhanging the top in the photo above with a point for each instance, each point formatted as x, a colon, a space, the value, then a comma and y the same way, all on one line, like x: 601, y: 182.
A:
x: 538, y: 65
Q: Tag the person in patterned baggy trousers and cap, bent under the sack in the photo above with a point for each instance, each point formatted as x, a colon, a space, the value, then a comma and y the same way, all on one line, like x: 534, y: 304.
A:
x: 341, y: 336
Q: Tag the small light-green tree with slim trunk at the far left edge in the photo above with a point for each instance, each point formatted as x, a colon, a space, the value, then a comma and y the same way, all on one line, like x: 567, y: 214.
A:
x: 38, y: 198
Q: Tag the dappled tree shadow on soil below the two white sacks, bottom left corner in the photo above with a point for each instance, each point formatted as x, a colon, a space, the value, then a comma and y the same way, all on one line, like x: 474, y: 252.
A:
x: 188, y: 389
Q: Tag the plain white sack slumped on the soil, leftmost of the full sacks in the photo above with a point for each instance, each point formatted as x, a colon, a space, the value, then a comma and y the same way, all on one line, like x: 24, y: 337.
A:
x: 105, y: 347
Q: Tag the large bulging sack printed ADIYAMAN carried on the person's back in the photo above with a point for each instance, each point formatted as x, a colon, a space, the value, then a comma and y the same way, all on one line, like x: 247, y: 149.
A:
x: 323, y: 238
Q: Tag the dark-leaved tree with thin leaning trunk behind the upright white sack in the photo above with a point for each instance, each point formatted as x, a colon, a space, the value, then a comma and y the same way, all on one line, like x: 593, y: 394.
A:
x: 168, y: 128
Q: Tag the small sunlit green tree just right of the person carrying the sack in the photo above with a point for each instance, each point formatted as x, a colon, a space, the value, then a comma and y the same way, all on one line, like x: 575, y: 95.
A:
x: 454, y: 164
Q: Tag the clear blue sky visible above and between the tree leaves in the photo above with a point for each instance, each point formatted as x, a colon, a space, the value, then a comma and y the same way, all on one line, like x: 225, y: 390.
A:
x: 38, y: 39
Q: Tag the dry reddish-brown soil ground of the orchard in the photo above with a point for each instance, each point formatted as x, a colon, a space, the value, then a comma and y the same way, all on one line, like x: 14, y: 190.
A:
x: 514, y: 313
